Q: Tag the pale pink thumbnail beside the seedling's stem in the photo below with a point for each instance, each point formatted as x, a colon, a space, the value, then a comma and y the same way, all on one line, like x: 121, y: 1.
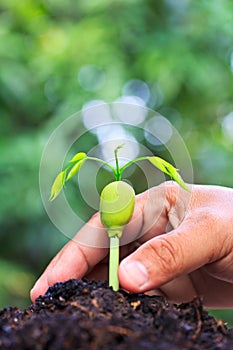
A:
x: 136, y: 273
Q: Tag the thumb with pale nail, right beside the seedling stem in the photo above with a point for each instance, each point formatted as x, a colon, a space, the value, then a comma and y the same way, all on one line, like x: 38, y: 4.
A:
x: 170, y: 255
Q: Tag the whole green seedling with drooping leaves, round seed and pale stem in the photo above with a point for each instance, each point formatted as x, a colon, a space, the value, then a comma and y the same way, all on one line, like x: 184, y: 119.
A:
x: 117, y: 199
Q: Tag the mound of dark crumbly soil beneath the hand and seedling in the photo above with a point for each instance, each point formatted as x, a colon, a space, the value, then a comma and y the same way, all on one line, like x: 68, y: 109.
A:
x: 86, y: 315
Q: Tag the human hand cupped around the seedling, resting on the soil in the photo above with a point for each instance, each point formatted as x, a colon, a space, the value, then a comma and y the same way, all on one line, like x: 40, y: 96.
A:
x: 195, y: 258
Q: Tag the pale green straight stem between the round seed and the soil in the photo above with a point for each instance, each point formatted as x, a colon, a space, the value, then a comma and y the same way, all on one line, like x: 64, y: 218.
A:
x: 114, y: 263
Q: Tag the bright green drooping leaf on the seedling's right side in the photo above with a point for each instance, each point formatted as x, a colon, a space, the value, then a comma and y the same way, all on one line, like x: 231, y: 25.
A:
x: 168, y: 169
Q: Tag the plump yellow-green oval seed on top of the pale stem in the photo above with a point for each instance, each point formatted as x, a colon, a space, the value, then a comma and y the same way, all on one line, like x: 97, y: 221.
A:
x: 116, y: 206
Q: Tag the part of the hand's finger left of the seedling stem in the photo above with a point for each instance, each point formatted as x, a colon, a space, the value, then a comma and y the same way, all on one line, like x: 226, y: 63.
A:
x: 76, y: 258
